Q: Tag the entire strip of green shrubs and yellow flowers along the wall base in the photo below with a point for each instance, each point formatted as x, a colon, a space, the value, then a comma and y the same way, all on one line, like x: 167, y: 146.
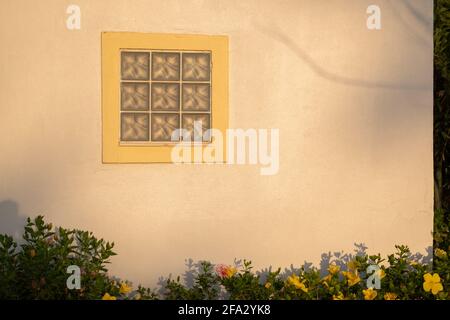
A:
x: 37, y: 269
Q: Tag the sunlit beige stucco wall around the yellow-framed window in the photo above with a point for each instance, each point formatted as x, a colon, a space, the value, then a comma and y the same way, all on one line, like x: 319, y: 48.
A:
x: 355, y: 156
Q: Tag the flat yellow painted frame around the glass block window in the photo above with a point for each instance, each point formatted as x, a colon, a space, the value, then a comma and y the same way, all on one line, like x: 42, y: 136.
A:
x: 112, y: 43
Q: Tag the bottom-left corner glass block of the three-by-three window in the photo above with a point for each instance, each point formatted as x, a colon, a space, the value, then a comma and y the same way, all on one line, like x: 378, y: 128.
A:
x: 134, y: 127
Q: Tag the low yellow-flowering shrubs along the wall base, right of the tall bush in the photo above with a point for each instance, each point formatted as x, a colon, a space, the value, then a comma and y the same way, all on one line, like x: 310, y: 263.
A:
x: 401, y: 277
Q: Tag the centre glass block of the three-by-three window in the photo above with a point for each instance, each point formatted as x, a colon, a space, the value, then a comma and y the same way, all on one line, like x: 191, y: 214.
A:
x: 165, y: 96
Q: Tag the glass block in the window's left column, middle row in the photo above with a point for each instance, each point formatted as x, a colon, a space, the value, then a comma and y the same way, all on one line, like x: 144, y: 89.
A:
x: 134, y: 96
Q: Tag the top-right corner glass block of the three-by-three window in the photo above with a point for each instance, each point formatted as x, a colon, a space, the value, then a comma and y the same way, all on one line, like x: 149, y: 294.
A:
x: 196, y: 66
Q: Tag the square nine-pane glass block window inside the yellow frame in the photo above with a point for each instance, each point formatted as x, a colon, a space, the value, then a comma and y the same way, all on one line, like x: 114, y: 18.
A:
x: 161, y: 91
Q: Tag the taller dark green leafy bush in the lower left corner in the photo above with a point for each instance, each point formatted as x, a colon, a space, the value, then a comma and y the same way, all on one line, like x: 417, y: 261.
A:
x: 37, y: 268
